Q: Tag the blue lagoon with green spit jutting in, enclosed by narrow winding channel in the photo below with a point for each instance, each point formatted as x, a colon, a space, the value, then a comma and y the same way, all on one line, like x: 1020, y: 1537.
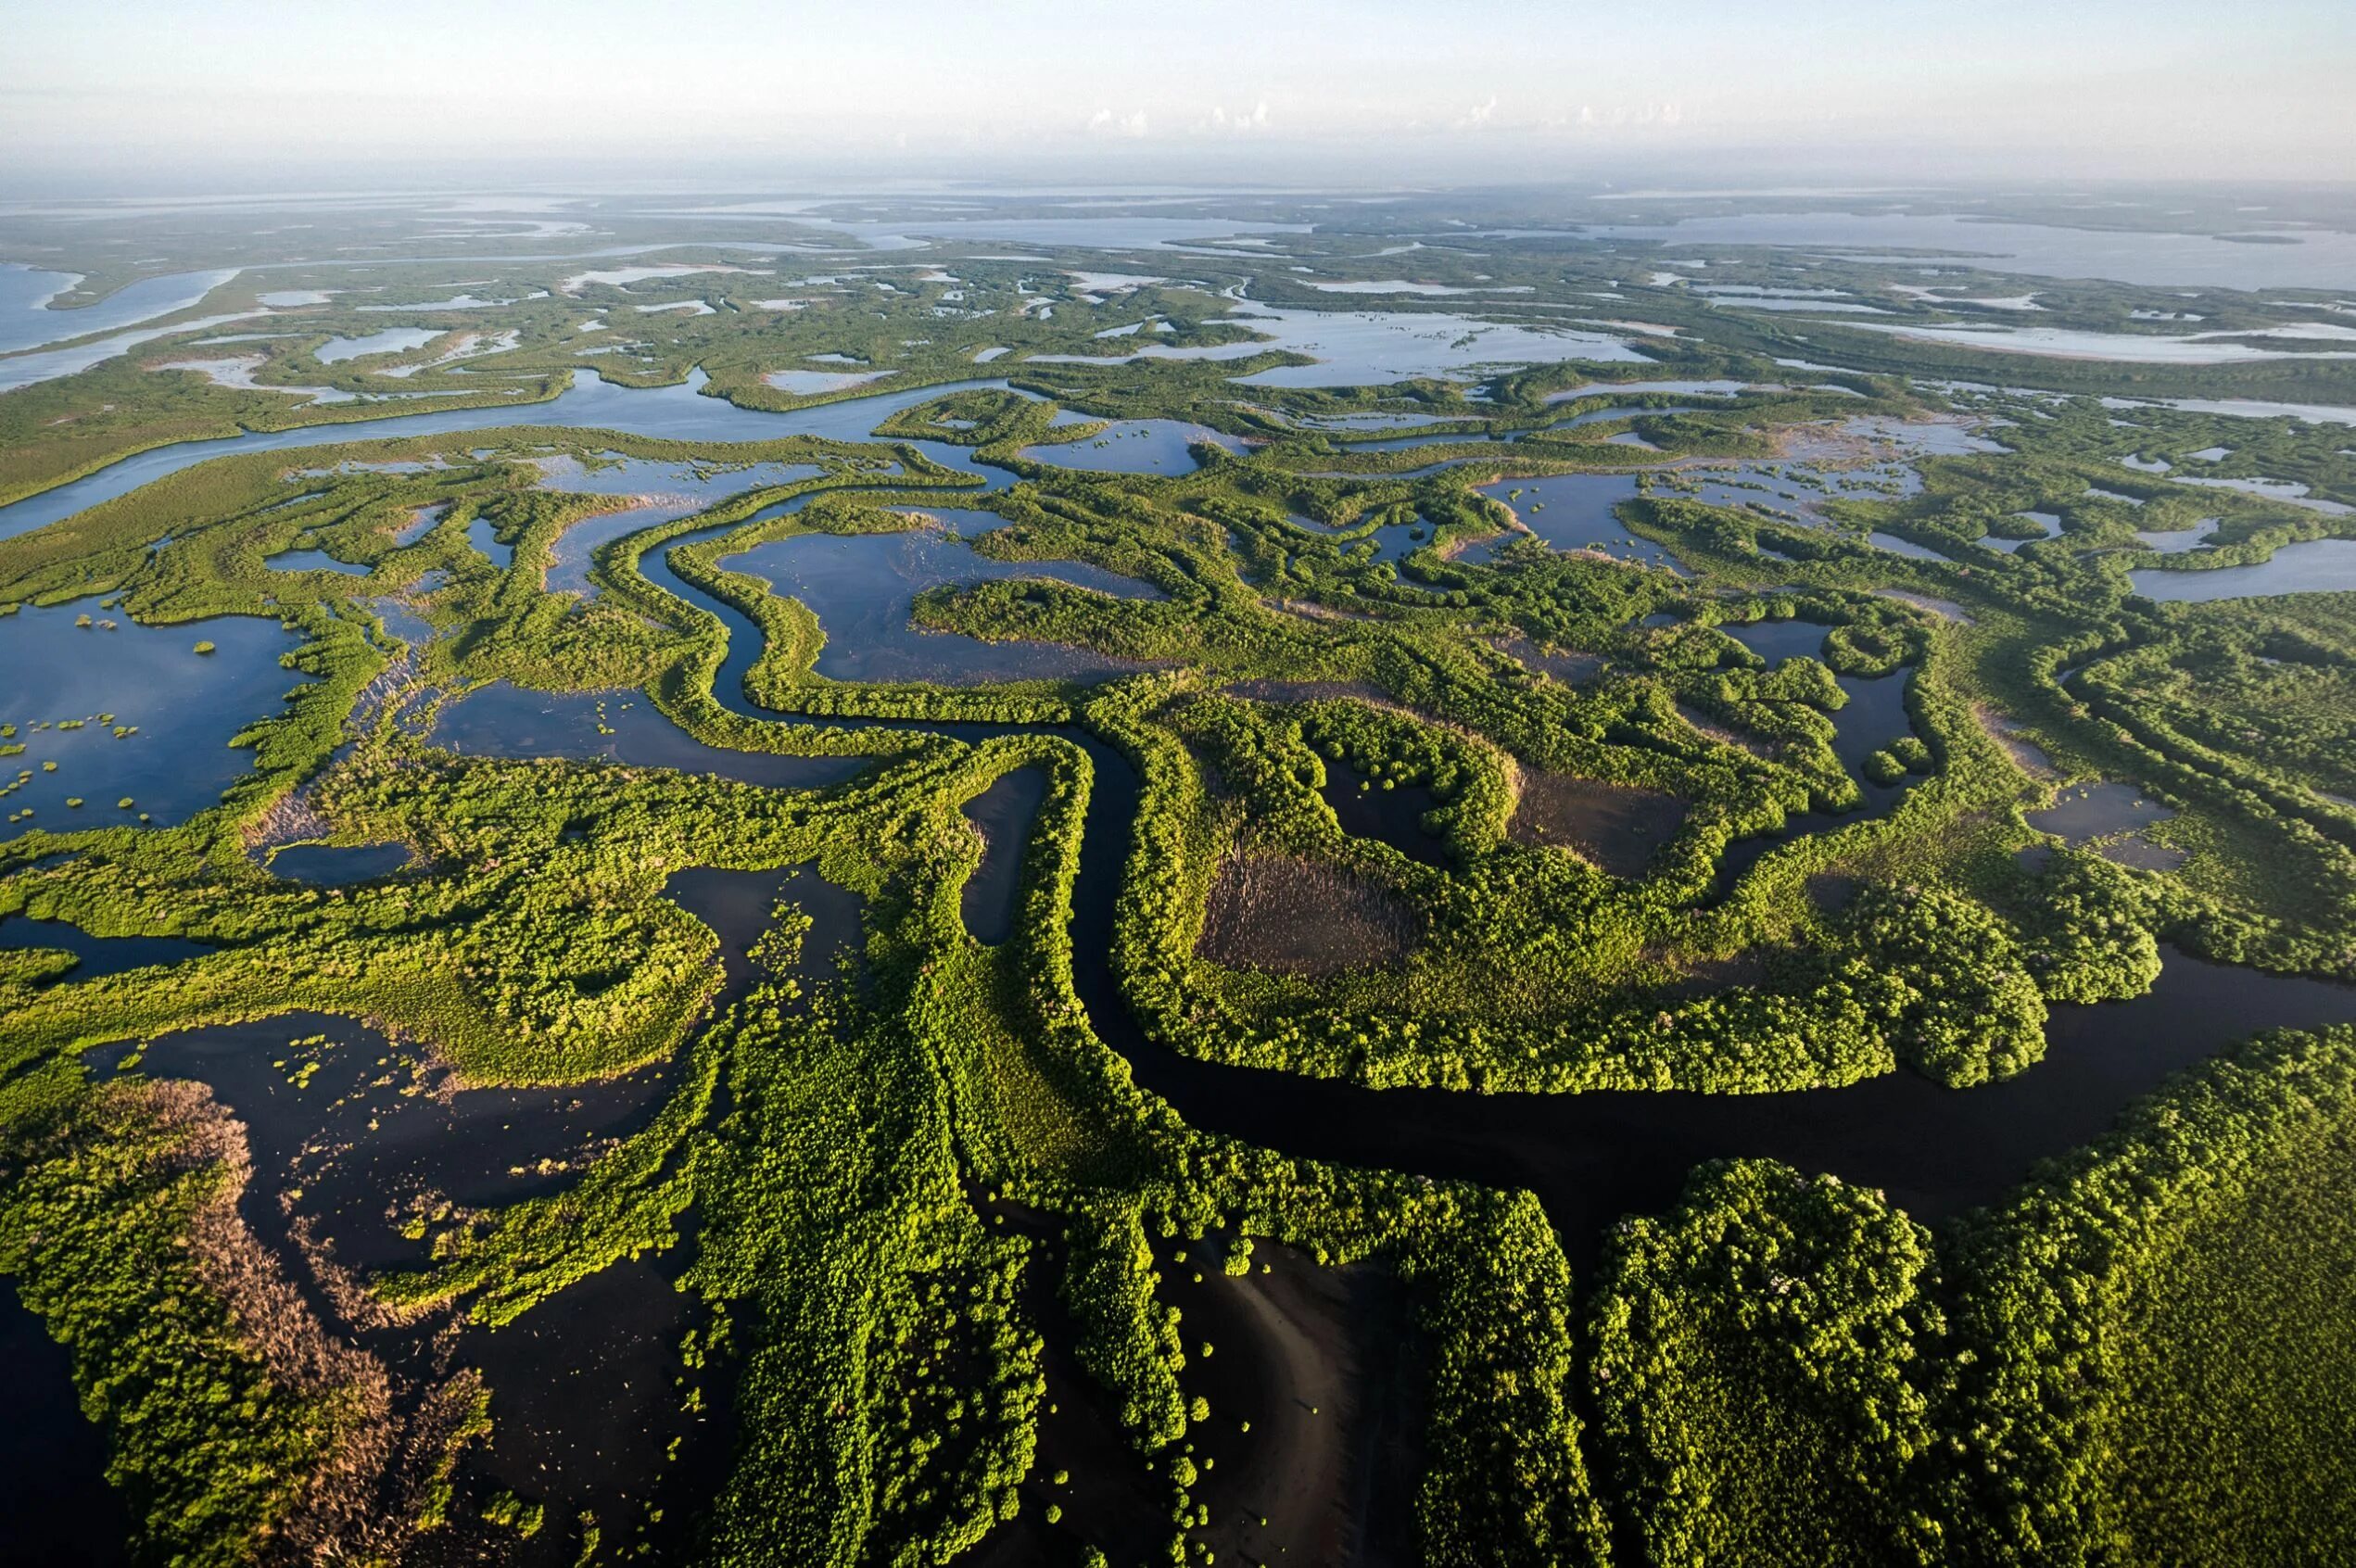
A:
x: 863, y: 590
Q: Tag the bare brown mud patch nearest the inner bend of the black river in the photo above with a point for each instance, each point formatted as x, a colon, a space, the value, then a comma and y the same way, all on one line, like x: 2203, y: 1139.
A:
x: 1304, y: 919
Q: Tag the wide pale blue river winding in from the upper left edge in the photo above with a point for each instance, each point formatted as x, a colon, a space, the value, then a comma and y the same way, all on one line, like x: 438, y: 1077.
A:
x: 670, y: 413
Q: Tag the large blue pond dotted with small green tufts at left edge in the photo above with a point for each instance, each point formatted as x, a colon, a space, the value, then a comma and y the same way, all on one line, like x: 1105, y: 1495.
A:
x: 180, y: 705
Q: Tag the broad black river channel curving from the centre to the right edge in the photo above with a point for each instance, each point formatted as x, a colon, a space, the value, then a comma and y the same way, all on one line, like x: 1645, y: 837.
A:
x: 1606, y: 1155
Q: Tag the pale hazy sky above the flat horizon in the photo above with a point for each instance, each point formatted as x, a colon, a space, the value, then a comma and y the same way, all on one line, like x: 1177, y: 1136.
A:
x: 166, y: 93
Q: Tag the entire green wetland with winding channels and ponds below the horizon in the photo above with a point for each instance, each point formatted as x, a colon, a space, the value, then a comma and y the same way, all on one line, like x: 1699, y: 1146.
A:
x: 1382, y: 896
